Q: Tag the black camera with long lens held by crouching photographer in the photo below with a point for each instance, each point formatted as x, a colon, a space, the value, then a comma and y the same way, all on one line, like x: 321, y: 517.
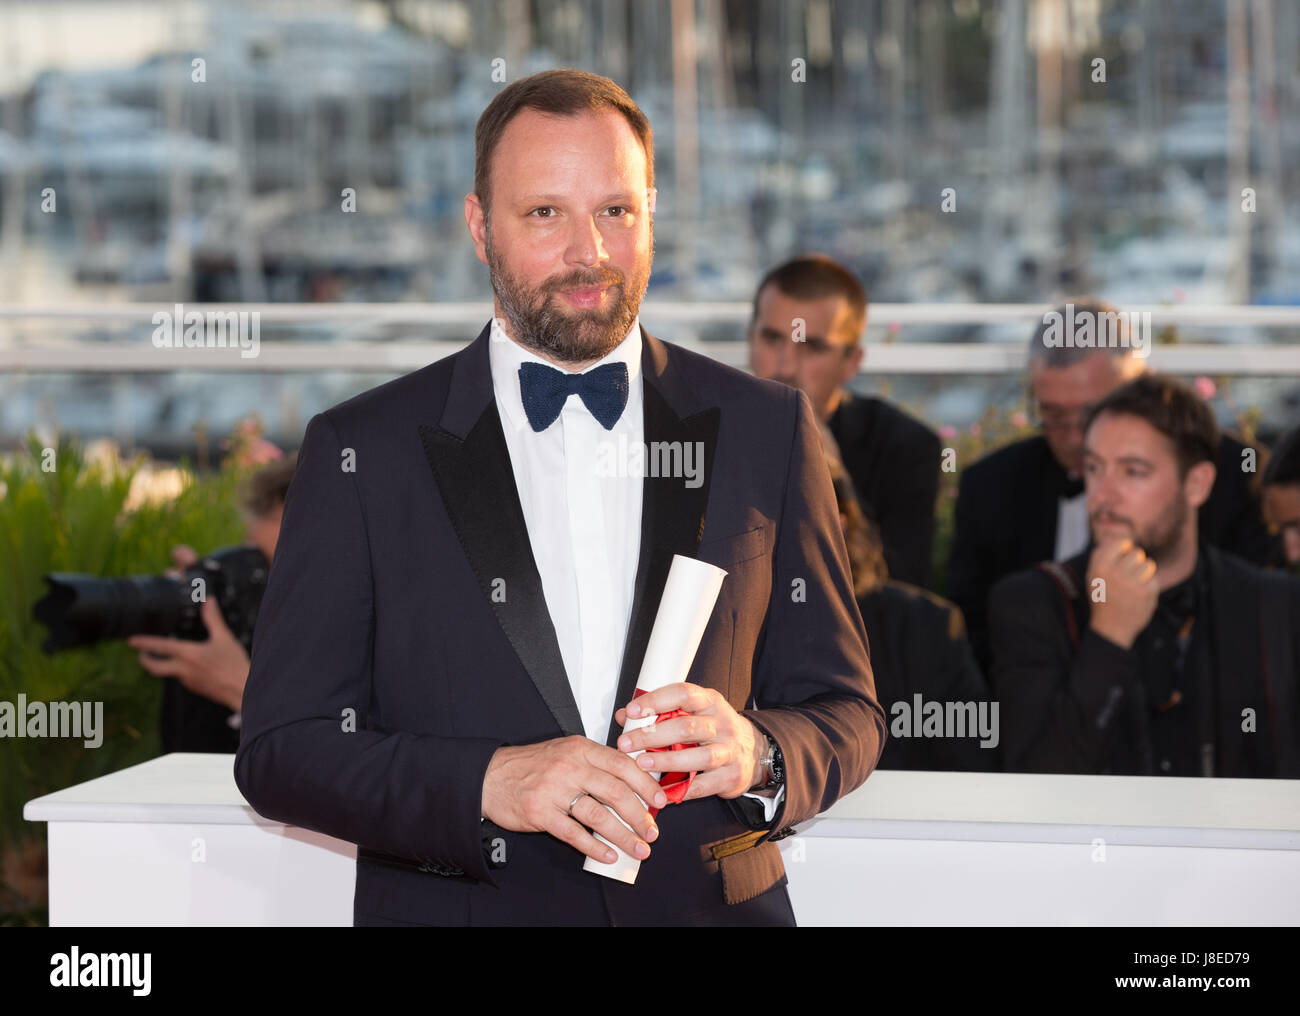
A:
x: 83, y: 610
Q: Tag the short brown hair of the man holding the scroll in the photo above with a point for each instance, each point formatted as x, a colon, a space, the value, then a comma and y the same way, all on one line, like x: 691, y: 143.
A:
x: 566, y: 93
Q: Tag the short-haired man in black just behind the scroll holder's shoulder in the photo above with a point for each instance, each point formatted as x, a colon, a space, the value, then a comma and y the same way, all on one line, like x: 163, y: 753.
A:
x: 807, y: 331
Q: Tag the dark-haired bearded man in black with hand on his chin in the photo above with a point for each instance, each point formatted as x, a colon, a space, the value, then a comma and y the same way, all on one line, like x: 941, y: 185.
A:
x: 1151, y: 653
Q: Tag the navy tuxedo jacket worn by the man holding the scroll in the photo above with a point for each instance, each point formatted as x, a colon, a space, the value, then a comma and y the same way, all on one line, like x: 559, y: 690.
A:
x: 405, y: 637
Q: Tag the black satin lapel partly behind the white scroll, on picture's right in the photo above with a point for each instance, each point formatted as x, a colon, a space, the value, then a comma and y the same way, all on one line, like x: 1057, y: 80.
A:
x: 673, y: 522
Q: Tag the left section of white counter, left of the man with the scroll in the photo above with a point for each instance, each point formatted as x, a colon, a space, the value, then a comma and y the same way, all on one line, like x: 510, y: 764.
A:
x: 174, y: 843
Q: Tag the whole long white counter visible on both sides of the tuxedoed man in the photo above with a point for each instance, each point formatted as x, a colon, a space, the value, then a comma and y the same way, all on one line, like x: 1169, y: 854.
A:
x: 172, y: 843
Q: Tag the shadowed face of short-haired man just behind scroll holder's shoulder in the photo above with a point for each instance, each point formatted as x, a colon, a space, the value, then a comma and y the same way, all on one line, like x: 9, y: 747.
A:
x: 822, y: 363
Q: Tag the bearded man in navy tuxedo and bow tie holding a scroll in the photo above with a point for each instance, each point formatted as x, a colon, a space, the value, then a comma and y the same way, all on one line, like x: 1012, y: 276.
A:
x: 471, y: 565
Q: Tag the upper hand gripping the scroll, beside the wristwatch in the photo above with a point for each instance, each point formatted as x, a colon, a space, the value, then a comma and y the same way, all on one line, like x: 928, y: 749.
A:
x: 729, y: 746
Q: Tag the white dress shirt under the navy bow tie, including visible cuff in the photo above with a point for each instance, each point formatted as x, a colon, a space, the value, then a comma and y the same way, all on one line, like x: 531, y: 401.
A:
x: 584, y: 523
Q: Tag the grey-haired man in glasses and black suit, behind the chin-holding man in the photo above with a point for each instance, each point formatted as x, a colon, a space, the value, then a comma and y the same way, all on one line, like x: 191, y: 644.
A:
x: 1025, y: 503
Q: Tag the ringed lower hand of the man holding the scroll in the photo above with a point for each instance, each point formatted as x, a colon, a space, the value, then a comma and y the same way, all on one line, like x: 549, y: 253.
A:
x: 528, y: 789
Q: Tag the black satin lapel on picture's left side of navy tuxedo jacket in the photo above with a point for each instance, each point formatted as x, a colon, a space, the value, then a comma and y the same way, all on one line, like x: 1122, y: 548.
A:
x: 478, y: 487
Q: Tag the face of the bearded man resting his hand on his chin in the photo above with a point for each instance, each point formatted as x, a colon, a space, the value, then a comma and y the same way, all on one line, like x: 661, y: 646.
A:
x: 1134, y: 490
